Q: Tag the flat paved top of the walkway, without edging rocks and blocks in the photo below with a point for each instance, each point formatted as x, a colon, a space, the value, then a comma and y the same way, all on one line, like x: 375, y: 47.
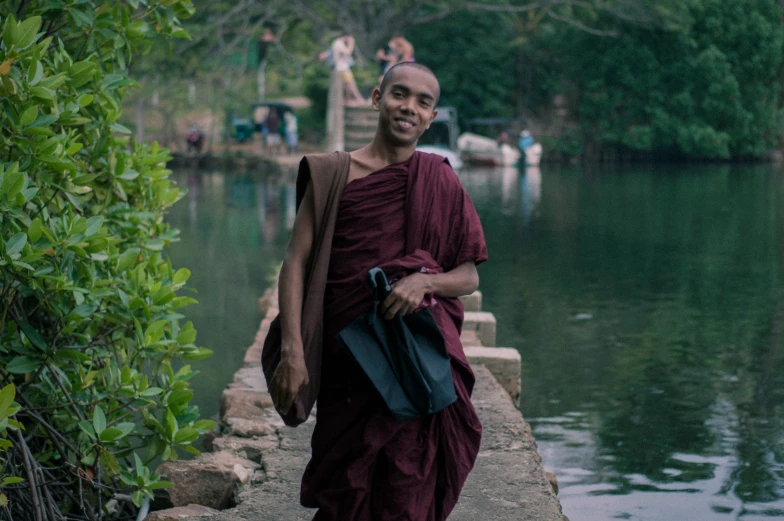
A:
x: 507, y: 483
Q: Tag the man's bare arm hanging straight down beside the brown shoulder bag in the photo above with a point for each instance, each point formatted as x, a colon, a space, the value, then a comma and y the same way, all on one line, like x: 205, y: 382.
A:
x: 292, y: 373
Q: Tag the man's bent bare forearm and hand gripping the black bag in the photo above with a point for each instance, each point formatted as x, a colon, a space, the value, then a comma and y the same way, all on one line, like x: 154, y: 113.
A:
x: 408, y: 292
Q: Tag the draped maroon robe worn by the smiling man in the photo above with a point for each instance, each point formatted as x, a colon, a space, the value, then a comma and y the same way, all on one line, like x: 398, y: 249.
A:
x: 366, y: 465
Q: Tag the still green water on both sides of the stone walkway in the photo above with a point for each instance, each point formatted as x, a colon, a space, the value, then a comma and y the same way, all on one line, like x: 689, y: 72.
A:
x: 647, y: 304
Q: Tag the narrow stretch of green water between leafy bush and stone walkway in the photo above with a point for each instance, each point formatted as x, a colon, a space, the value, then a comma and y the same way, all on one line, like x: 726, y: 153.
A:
x: 233, y: 229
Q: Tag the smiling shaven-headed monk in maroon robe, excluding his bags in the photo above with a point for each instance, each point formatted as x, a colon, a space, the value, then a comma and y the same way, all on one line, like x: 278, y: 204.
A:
x: 406, y: 212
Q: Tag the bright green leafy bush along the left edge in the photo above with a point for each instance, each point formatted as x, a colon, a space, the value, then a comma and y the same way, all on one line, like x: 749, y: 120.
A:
x: 90, y: 328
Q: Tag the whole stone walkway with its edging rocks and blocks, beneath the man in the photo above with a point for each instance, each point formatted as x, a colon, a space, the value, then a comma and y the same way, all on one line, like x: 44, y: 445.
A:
x: 254, y: 463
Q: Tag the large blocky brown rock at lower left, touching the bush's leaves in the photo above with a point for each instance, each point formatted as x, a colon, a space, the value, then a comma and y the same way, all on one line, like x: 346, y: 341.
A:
x: 208, y: 481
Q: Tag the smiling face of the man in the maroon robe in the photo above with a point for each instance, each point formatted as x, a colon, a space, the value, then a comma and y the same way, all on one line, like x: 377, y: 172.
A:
x: 406, y: 106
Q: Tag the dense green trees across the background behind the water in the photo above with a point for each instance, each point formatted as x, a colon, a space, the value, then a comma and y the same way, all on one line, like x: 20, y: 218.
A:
x: 690, y: 79
